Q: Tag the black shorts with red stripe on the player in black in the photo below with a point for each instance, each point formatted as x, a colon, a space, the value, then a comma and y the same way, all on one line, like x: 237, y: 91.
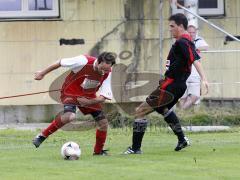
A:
x: 166, y: 95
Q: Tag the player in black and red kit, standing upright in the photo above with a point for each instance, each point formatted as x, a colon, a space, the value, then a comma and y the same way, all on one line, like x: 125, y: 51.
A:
x: 181, y: 56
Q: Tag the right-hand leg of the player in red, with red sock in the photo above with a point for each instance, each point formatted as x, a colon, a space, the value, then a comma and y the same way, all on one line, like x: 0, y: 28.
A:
x: 101, y: 132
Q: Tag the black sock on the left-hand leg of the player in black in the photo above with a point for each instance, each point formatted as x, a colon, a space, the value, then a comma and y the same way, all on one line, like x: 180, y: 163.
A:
x: 139, y: 127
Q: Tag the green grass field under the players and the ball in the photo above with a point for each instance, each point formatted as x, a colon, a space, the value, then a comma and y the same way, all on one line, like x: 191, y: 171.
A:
x: 211, y: 156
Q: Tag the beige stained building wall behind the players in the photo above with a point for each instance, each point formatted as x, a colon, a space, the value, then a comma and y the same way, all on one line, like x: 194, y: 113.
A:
x: 27, y: 46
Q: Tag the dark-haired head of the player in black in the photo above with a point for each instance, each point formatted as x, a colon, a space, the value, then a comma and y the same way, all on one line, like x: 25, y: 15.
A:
x: 178, y: 24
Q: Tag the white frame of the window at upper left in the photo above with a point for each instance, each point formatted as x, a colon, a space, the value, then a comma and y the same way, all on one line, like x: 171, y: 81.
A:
x: 25, y: 13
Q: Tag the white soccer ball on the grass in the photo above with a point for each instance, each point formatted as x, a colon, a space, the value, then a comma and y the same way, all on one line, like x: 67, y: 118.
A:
x: 70, y: 151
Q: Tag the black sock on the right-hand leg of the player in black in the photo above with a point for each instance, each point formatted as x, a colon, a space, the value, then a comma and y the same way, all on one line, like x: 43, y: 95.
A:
x: 175, y: 125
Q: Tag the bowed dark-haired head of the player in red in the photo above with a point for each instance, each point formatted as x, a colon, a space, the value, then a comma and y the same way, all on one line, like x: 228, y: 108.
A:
x: 105, y: 61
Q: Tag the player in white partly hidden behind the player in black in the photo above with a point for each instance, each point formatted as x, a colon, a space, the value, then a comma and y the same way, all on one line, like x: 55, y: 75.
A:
x: 192, y: 93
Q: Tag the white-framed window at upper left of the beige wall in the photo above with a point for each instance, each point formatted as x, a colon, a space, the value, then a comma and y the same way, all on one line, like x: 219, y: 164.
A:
x: 29, y: 9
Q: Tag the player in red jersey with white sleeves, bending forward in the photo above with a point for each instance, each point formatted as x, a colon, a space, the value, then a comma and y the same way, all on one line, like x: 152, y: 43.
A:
x: 88, y: 75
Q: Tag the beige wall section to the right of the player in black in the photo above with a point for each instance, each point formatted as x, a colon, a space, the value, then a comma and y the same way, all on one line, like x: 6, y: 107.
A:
x: 223, y: 68
